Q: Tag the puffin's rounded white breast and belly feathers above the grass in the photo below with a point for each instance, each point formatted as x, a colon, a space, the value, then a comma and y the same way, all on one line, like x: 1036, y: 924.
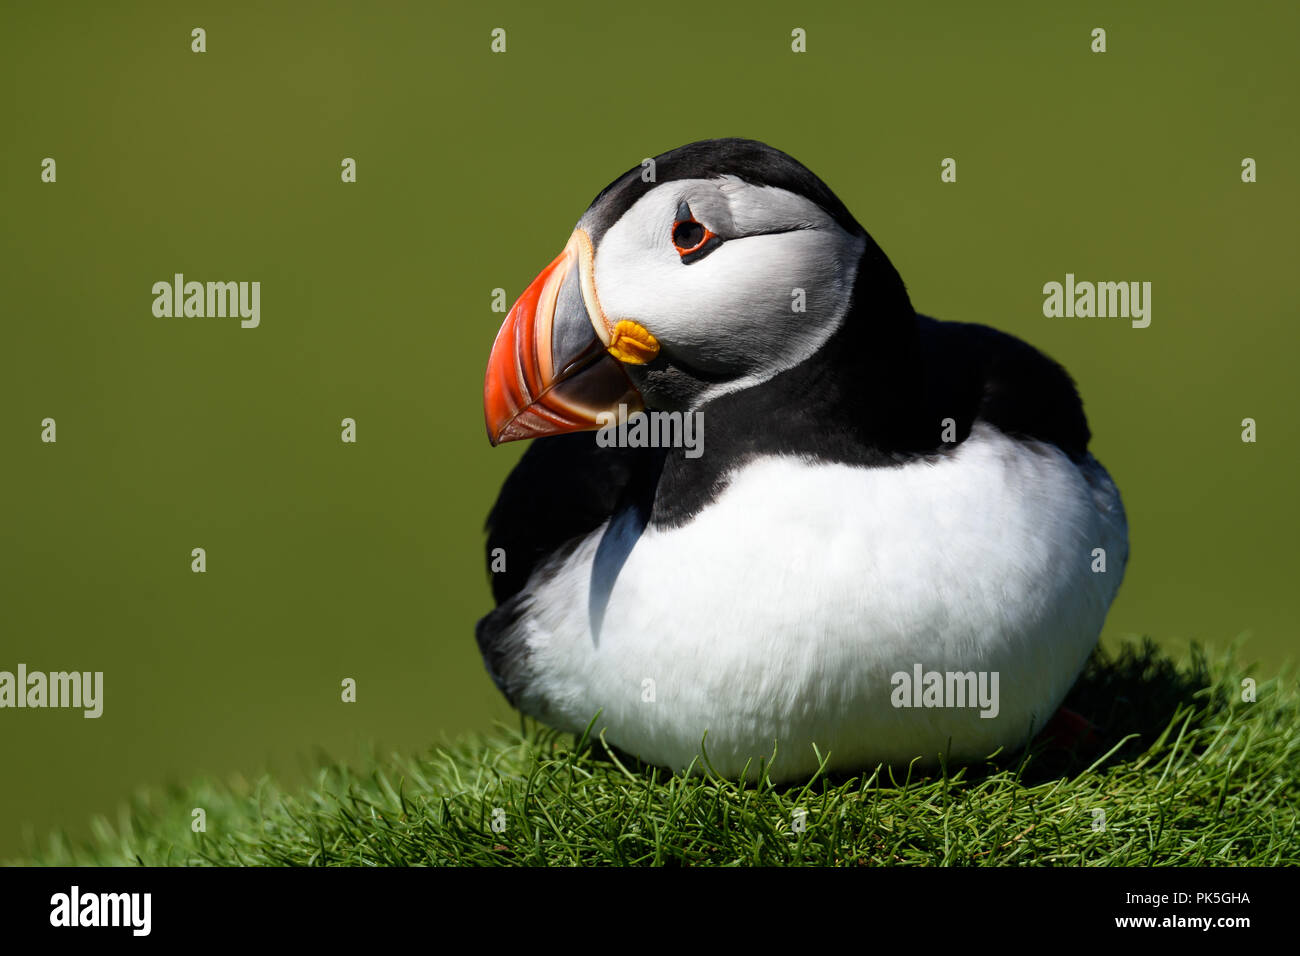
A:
x: 781, y: 615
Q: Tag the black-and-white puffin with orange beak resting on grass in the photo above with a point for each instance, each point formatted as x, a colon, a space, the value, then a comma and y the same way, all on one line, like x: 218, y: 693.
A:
x: 890, y: 543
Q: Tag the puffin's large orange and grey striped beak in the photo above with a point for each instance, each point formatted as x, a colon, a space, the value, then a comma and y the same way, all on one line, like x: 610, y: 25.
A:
x: 551, y: 369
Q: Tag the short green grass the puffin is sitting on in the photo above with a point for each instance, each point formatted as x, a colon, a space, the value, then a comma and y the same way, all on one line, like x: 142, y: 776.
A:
x: 1185, y: 772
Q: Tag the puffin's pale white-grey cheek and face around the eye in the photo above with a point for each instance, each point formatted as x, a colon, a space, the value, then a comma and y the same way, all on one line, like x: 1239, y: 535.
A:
x: 731, y: 313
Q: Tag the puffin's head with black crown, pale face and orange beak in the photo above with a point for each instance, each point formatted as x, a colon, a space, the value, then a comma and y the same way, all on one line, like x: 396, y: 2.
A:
x: 718, y: 267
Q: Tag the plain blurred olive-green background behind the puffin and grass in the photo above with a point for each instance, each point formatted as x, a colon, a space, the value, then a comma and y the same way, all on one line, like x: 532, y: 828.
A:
x: 330, y: 560
